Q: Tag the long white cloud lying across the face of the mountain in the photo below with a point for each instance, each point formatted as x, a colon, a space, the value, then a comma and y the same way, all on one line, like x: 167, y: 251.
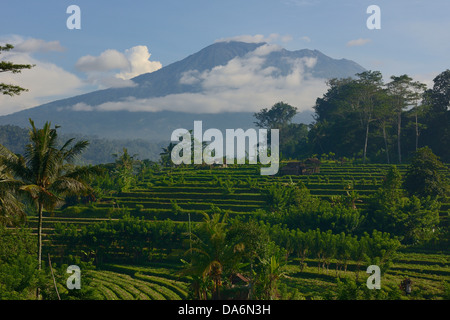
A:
x: 243, y: 84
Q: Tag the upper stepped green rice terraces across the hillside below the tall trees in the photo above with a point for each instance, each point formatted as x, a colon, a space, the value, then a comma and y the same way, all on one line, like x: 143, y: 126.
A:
x: 236, y: 190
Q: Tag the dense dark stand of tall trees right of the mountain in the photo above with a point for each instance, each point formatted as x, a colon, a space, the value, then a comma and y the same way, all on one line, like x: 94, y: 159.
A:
x: 366, y: 119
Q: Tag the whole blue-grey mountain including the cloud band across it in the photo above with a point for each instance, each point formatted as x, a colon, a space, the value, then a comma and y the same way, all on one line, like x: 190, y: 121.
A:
x: 164, y: 100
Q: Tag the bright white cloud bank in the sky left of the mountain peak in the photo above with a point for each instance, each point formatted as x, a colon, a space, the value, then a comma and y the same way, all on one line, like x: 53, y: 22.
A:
x: 47, y: 82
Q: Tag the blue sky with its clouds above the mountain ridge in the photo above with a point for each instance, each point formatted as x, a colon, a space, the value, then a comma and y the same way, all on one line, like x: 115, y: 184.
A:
x: 413, y: 38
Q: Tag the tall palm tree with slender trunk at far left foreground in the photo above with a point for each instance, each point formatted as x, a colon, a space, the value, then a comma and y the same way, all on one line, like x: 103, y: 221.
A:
x: 46, y: 173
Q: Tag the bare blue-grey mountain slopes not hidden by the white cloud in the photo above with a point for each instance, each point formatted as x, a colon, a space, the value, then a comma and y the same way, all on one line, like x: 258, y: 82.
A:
x: 165, y: 82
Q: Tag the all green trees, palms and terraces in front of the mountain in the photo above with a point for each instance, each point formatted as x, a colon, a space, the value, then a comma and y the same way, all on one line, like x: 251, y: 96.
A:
x: 152, y: 230
